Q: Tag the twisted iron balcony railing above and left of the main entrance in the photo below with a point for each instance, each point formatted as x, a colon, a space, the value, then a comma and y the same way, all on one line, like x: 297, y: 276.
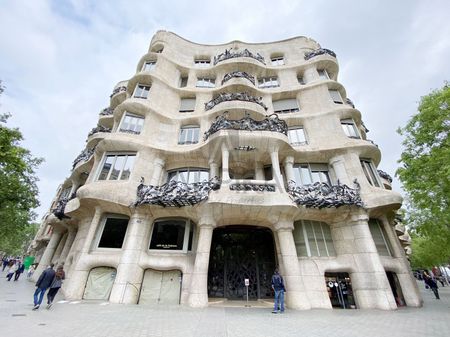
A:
x: 175, y: 193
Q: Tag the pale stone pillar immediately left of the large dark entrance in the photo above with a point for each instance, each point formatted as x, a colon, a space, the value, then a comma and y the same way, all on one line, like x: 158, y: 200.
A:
x: 198, y: 290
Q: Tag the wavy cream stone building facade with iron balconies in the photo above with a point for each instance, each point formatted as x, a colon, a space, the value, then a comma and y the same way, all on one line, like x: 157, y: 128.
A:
x: 214, y: 164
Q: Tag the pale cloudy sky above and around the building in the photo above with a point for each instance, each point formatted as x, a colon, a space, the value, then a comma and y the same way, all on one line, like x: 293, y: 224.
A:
x: 60, y: 60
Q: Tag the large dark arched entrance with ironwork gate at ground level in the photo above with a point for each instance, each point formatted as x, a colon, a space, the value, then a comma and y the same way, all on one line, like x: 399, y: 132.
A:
x: 239, y: 253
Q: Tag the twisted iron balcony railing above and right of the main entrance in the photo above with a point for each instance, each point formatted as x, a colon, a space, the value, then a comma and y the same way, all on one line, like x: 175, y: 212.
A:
x: 321, y: 195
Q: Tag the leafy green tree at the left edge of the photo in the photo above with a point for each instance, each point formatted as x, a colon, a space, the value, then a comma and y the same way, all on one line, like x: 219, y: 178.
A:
x: 18, y: 189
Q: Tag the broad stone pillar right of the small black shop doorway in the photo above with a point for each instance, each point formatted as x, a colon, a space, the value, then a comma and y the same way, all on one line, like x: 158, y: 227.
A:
x: 369, y: 281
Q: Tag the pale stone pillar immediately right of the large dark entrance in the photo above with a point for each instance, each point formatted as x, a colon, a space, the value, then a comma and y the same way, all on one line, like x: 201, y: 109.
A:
x: 296, y: 297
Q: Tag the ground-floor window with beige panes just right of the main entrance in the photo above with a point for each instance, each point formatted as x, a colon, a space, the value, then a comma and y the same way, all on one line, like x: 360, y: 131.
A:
x: 313, y: 238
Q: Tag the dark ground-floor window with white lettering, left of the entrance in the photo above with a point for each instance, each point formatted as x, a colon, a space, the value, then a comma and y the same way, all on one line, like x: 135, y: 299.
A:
x: 173, y: 234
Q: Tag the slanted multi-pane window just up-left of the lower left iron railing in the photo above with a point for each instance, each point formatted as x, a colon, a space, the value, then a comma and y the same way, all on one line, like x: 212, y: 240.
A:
x: 116, y: 167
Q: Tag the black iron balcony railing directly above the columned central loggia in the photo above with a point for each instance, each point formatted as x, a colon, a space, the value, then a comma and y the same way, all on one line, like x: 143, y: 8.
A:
x: 270, y: 123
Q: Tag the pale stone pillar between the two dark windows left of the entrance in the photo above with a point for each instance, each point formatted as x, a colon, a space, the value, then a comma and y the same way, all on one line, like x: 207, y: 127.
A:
x: 129, y: 276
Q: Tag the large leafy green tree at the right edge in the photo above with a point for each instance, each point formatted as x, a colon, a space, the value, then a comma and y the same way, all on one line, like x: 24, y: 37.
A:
x: 425, y: 174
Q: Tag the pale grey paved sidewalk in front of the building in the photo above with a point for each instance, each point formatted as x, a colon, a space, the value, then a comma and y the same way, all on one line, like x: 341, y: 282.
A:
x: 101, y: 319
